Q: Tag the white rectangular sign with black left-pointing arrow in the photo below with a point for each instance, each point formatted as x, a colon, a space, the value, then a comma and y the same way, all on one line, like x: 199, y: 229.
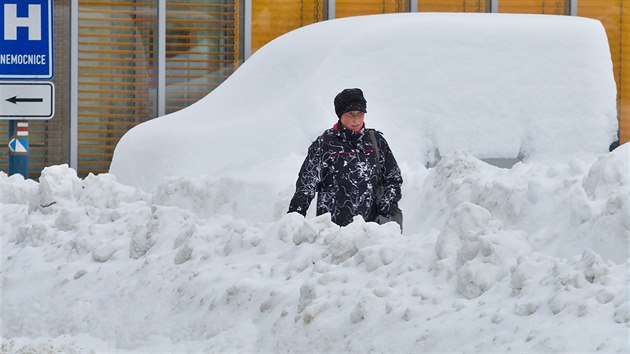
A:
x: 27, y: 99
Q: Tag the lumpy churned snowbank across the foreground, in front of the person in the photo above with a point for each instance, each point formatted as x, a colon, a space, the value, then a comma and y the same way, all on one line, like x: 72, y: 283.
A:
x: 532, y: 259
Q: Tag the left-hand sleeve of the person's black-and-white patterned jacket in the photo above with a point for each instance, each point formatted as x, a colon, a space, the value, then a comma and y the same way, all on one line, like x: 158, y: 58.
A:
x: 309, y: 180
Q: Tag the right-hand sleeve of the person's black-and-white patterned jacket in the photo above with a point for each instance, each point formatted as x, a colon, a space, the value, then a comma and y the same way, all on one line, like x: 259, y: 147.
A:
x: 392, y: 179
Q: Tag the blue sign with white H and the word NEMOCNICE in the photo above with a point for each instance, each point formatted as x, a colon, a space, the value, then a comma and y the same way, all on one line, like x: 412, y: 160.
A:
x: 26, y: 39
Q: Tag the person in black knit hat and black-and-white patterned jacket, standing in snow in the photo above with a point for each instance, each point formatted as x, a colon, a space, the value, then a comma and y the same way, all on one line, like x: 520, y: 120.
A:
x: 351, y: 168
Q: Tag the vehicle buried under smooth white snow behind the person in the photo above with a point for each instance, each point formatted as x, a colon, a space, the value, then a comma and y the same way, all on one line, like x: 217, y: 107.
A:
x: 495, y: 85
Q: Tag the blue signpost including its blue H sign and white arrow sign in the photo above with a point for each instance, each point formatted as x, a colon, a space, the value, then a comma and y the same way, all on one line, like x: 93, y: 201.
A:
x: 26, y: 52
